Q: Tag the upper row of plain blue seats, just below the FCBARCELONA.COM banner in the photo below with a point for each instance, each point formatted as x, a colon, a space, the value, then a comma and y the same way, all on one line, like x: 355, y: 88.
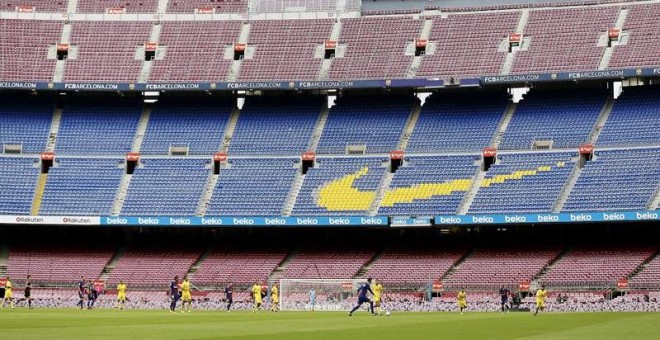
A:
x: 448, y: 122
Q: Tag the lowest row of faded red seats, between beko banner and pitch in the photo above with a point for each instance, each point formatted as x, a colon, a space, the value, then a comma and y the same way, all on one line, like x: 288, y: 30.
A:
x: 483, y: 268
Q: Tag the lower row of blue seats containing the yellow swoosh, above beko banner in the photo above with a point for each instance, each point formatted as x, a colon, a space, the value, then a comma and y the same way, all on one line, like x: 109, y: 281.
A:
x: 616, y: 180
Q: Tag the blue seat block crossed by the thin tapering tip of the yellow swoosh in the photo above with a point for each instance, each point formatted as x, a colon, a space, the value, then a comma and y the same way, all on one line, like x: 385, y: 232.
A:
x: 523, y: 183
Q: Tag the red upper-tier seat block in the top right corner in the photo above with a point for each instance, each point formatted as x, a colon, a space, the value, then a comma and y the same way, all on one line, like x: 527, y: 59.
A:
x: 641, y: 49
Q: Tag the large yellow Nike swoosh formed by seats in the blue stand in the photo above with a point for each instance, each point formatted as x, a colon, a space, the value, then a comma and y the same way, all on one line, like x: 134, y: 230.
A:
x: 341, y: 195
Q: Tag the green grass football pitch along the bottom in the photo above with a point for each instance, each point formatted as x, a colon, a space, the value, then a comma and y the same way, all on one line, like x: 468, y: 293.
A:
x: 139, y: 324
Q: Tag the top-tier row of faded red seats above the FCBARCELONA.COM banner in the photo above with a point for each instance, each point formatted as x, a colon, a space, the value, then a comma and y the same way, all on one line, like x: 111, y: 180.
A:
x: 464, y: 44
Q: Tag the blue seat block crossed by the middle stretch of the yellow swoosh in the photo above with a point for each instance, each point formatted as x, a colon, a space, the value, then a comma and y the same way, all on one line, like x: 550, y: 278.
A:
x: 429, y: 185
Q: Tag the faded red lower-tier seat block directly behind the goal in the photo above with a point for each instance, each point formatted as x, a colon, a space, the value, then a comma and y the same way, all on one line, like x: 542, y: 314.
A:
x: 326, y: 264
